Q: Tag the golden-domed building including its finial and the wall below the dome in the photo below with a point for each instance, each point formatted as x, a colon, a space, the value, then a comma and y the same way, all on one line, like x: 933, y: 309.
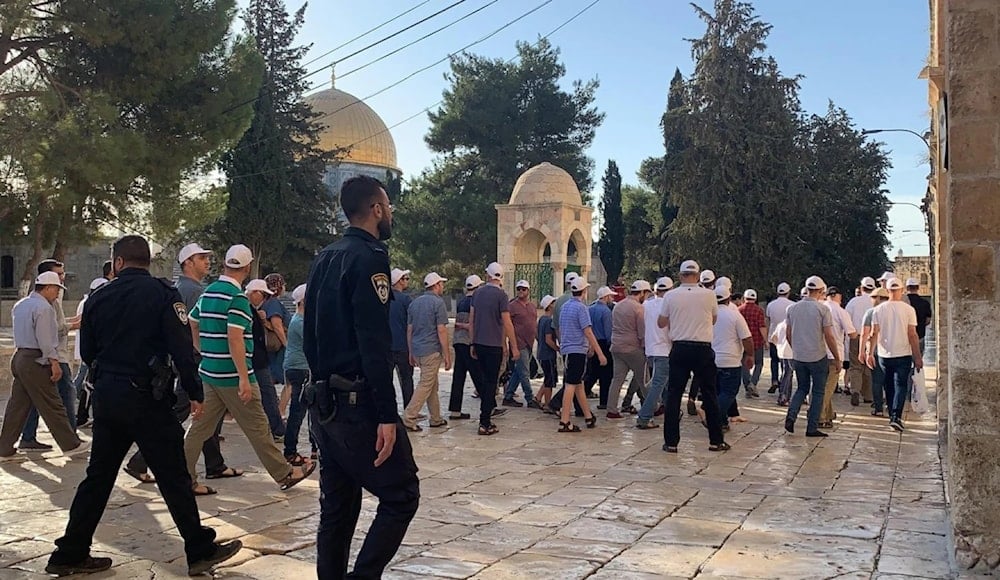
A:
x: 363, y: 143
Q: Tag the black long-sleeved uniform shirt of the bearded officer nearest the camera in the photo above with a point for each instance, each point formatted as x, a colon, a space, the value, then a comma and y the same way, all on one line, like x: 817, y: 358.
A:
x: 347, y: 316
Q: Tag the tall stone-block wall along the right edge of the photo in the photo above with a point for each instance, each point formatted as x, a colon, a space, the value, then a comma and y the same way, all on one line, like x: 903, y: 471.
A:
x: 963, y: 73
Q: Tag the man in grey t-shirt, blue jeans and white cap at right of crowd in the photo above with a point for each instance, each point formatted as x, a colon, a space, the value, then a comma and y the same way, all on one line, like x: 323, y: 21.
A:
x: 809, y: 327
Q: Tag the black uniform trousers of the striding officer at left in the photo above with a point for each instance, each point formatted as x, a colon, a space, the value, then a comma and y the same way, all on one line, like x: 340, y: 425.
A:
x: 124, y: 415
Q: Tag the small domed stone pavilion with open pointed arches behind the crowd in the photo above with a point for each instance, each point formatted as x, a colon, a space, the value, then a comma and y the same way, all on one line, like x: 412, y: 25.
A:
x: 545, y: 230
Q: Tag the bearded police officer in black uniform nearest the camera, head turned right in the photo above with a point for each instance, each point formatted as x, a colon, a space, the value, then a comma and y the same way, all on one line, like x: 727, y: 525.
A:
x: 352, y: 401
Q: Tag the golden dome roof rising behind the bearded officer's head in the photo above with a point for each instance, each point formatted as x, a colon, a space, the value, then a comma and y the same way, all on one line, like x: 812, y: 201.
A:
x: 350, y: 123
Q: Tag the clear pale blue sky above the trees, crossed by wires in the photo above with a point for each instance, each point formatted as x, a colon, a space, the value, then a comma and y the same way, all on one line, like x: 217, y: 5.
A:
x: 863, y: 55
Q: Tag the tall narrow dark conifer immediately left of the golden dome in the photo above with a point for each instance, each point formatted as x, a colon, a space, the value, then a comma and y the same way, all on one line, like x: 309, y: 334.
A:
x: 278, y: 205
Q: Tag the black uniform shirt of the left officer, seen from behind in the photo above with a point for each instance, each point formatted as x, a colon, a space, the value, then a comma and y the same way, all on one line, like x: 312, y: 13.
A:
x: 132, y: 318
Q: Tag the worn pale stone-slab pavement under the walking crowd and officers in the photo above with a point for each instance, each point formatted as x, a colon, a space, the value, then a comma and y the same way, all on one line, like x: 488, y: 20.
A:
x: 532, y: 503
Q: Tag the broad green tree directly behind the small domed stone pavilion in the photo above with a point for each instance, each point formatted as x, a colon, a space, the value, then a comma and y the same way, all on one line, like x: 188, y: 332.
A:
x: 498, y: 119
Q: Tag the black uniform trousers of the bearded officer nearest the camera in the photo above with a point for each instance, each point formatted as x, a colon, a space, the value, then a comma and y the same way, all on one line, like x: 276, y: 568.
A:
x: 347, y: 455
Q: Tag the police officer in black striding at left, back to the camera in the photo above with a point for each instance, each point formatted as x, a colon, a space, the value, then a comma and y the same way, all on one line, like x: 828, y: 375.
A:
x: 134, y: 327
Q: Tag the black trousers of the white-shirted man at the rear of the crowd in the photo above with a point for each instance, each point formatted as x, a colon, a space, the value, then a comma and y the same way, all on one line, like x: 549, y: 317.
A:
x: 687, y: 358
